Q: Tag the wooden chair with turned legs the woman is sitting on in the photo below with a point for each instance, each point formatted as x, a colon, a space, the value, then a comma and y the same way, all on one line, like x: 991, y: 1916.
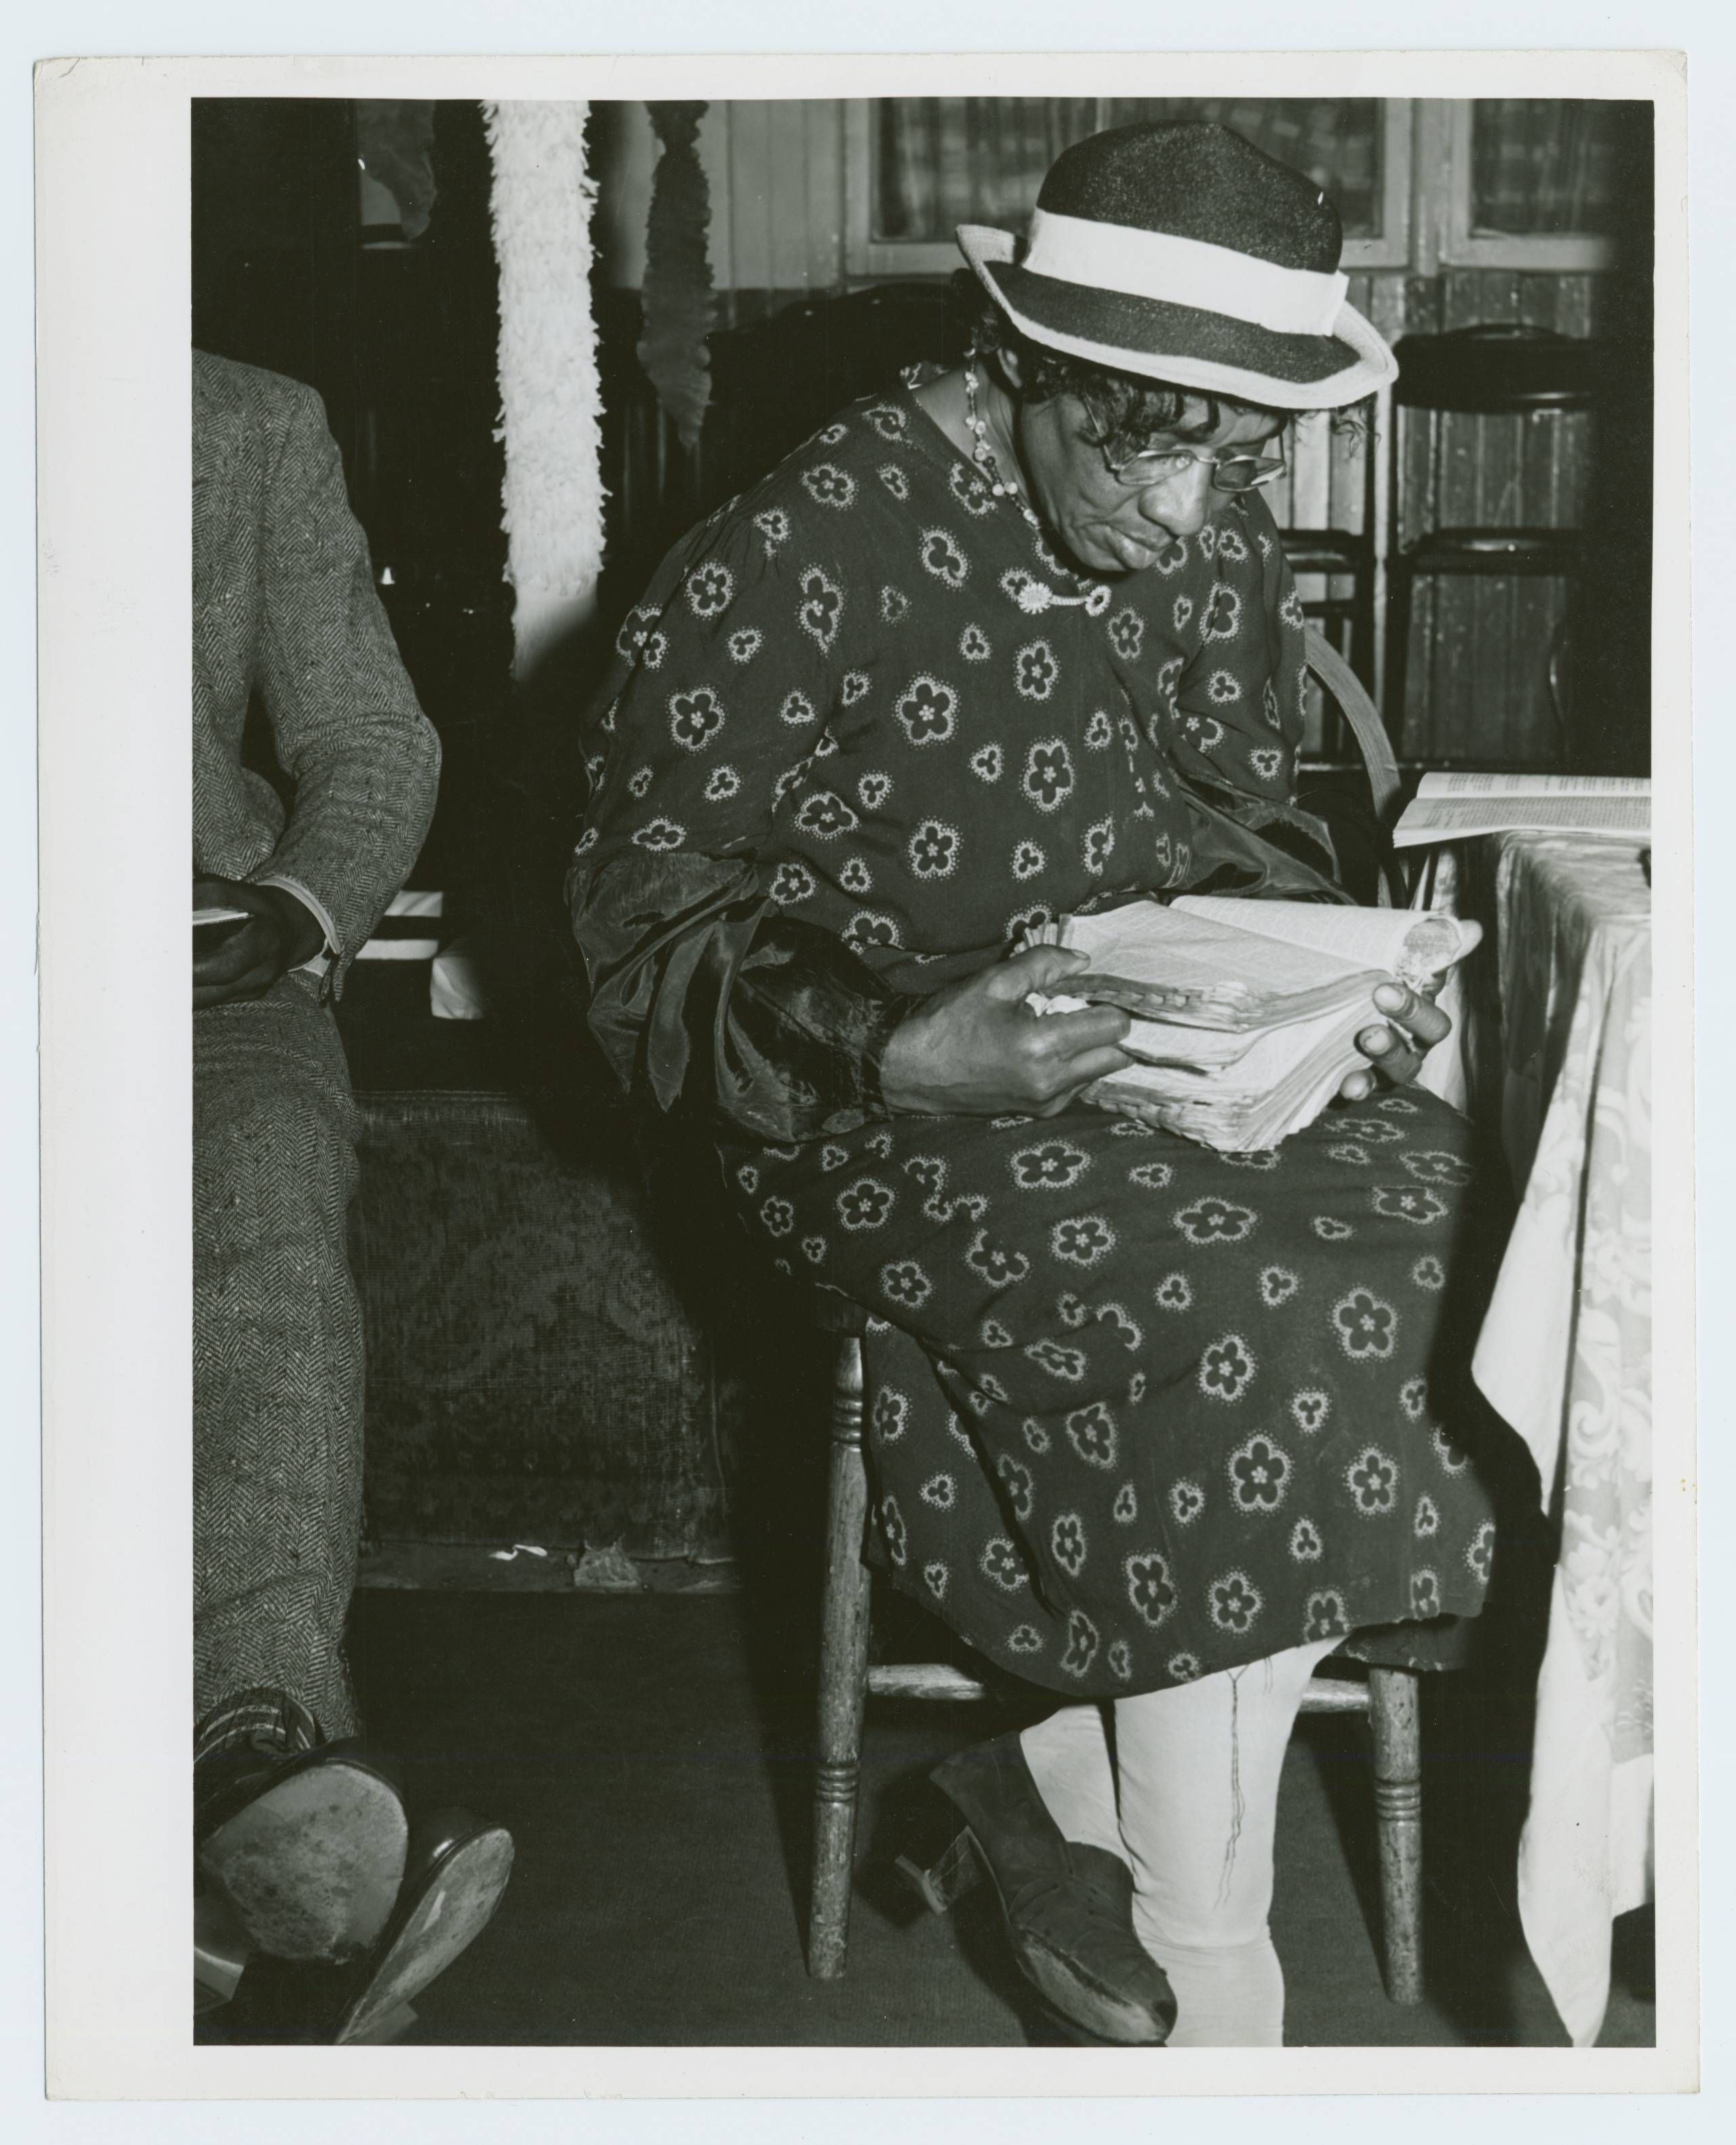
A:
x: 1389, y: 1698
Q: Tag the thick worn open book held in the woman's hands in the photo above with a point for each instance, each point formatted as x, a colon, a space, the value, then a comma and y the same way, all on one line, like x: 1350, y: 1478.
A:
x: 1246, y: 1014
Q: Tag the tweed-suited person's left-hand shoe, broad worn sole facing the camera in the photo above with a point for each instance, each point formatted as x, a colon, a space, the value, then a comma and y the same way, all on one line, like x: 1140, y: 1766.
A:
x: 308, y: 1850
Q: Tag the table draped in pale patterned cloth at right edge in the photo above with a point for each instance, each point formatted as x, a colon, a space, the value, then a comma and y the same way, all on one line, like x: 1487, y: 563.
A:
x: 1565, y: 1359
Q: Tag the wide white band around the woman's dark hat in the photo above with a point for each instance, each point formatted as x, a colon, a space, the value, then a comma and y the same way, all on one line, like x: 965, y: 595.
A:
x: 1183, y: 271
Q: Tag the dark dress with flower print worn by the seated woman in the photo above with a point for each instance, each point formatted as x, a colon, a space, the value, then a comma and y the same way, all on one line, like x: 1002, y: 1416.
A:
x: 1136, y: 1410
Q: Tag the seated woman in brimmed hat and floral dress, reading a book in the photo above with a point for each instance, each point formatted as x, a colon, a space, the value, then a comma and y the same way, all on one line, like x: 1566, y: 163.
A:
x: 1014, y: 642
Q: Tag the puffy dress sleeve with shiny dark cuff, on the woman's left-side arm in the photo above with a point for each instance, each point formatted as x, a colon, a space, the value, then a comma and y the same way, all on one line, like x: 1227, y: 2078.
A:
x: 716, y: 707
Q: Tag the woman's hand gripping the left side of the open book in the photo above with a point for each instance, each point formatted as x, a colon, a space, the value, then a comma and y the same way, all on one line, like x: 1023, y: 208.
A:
x: 977, y: 1050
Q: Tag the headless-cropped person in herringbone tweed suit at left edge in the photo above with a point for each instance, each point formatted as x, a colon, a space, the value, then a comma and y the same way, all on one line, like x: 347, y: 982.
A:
x: 301, y: 1835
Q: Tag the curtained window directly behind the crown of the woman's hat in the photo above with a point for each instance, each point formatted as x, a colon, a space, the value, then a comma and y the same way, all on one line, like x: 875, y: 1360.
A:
x: 926, y: 164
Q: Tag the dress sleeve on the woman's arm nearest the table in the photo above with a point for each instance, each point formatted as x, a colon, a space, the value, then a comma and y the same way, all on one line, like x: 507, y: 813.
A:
x: 1239, y: 724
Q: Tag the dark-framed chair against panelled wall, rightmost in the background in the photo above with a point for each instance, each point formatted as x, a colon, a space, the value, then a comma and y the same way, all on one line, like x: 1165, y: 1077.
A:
x: 1499, y: 370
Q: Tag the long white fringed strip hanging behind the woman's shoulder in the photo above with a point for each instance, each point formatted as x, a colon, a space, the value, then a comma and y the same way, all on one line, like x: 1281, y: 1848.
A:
x: 550, y: 396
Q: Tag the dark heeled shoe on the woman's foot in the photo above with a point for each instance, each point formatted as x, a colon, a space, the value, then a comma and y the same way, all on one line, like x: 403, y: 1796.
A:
x: 1068, y: 1908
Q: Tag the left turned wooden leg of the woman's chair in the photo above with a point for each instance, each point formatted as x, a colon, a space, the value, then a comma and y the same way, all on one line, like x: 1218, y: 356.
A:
x: 844, y: 1644
